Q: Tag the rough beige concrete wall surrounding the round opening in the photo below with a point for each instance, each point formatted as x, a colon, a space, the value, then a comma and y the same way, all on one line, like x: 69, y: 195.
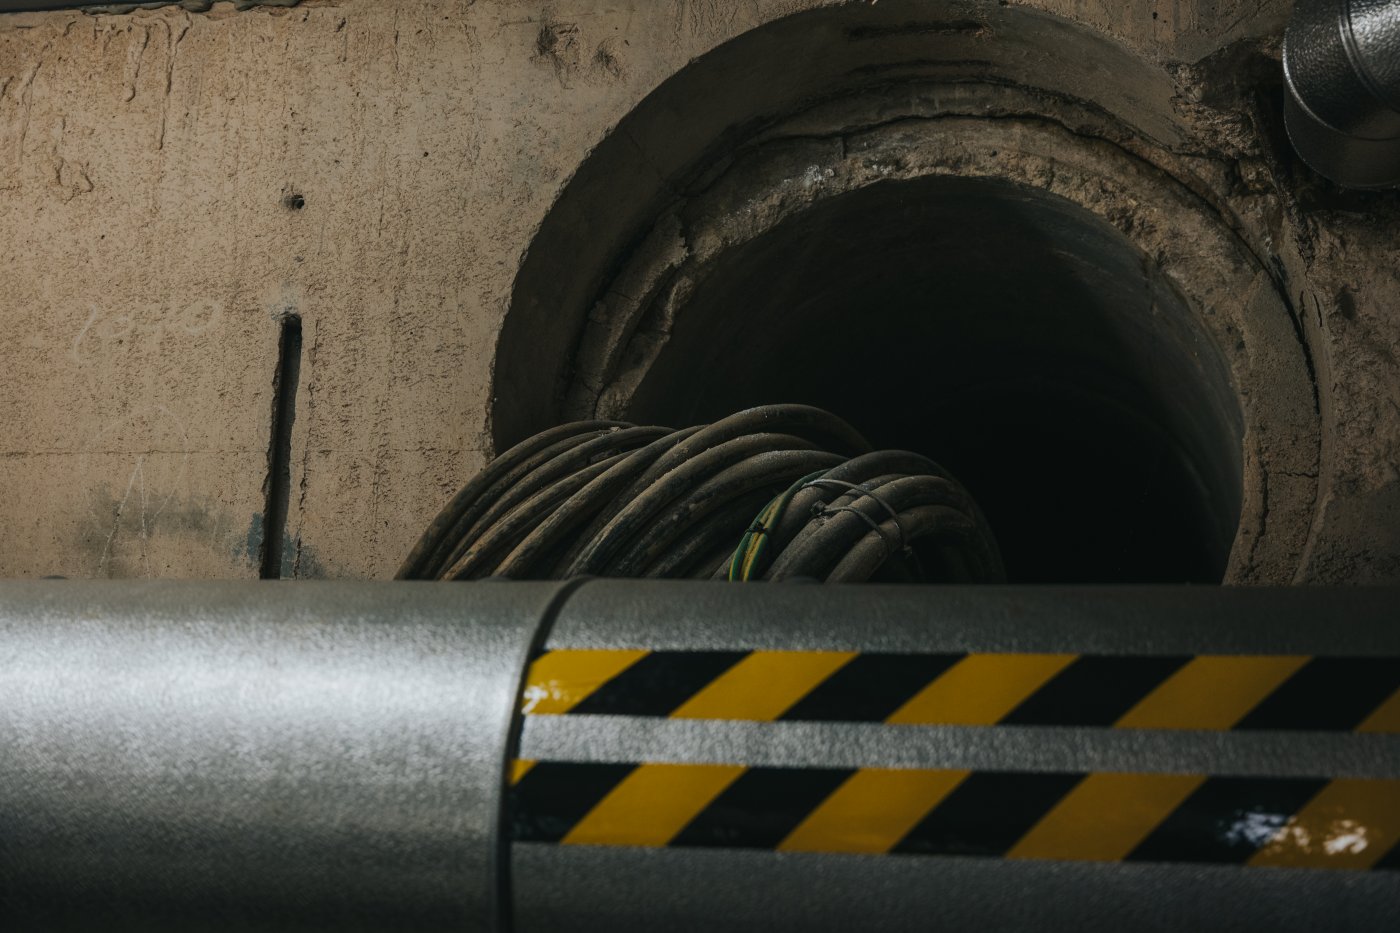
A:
x: 174, y: 184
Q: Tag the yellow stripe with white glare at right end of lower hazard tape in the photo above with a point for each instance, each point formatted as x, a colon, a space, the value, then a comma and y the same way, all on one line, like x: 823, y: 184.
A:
x: 1350, y: 824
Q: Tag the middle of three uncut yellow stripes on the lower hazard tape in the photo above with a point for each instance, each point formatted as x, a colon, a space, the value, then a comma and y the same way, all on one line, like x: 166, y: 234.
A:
x: 873, y: 810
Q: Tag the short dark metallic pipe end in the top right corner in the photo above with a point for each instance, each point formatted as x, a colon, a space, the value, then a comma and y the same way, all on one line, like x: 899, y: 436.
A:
x: 1342, y: 65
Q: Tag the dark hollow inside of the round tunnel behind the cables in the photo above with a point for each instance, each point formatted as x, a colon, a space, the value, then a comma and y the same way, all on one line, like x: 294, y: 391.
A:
x: 1006, y: 333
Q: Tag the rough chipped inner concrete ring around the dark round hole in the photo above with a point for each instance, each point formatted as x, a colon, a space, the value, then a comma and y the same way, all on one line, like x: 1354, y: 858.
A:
x: 974, y: 130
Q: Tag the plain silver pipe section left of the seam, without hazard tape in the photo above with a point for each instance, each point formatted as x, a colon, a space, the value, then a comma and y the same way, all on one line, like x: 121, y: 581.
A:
x: 240, y: 757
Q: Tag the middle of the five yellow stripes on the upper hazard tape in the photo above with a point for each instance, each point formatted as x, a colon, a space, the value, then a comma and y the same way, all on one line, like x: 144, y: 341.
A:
x: 981, y: 690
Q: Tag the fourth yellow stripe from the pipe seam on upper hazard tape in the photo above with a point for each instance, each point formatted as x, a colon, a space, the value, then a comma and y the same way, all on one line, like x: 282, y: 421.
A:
x: 1212, y: 691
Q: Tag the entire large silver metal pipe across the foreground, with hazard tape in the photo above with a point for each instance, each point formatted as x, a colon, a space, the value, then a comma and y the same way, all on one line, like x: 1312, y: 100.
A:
x: 374, y: 757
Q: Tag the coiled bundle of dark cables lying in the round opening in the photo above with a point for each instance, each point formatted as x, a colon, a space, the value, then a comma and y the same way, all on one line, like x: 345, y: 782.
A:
x: 775, y: 494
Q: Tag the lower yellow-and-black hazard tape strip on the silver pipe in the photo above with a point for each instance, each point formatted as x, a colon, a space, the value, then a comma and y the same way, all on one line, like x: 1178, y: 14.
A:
x: 1346, y: 824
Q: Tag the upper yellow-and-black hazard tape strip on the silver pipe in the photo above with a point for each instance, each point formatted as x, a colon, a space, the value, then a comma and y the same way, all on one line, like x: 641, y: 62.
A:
x: 1205, y: 691
